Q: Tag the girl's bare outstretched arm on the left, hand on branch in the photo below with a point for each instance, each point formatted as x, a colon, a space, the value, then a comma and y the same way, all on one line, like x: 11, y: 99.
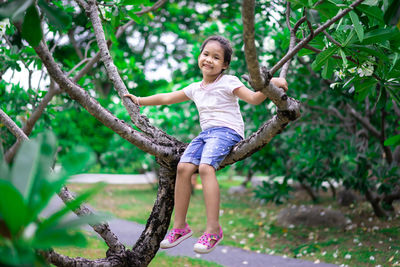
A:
x: 159, y: 99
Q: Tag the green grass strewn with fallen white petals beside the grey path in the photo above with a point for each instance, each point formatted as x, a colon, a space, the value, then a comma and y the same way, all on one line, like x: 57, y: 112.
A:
x: 251, y: 225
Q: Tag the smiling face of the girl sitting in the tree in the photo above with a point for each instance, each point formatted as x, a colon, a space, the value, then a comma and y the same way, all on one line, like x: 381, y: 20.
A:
x: 211, y: 60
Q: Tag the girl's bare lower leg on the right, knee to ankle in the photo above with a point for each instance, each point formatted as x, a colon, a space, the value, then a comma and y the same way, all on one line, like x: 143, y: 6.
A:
x: 211, y: 197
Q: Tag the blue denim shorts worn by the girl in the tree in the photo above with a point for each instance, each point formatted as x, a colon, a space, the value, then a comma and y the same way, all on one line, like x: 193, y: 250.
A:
x: 211, y: 146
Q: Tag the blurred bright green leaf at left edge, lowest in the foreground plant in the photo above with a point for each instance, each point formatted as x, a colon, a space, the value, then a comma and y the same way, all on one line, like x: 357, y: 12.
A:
x: 13, y: 209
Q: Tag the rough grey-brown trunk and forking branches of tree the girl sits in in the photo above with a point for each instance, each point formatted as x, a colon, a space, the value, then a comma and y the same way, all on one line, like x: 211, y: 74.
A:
x: 166, y: 148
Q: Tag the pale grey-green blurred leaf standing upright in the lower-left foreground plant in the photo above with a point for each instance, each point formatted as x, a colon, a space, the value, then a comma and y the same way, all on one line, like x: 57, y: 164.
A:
x: 25, y: 166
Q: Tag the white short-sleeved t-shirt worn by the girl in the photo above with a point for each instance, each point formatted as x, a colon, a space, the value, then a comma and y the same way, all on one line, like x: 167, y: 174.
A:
x: 217, y: 105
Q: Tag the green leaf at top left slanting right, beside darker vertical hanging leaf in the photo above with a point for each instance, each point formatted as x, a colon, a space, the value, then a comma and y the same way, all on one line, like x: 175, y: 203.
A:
x: 56, y: 16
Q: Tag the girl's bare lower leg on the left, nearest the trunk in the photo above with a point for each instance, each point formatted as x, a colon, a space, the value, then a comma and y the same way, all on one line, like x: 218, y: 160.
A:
x: 183, y: 190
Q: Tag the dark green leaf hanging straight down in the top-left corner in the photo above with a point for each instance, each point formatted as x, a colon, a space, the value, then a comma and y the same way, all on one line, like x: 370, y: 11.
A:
x: 31, y: 28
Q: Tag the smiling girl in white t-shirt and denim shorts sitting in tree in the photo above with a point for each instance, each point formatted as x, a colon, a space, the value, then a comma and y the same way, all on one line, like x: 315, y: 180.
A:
x: 216, y: 98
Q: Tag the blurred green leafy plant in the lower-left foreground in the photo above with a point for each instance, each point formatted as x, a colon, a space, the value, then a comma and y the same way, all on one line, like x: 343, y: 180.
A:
x: 27, y: 188
